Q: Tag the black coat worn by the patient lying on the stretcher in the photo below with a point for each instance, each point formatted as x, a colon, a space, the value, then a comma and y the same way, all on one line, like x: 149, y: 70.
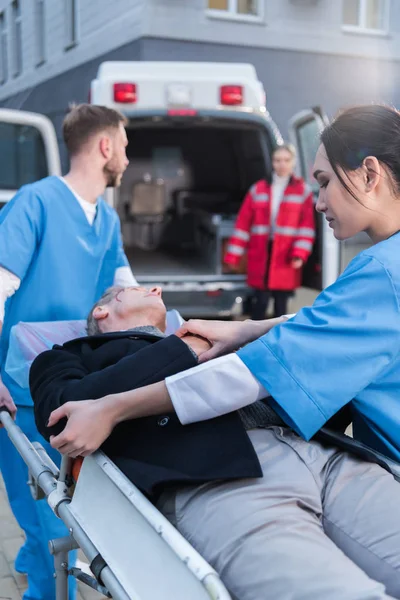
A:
x: 153, y: 451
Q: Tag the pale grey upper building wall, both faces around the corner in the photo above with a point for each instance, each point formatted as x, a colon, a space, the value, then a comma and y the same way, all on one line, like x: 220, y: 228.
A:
x: 102, y: 26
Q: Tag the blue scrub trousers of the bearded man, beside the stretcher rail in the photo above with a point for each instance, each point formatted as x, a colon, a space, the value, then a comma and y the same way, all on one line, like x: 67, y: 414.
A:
x: 35, y: 517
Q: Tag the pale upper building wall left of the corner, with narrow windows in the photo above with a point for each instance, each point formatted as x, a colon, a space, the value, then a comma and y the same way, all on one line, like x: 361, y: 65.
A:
x: 102, y: 26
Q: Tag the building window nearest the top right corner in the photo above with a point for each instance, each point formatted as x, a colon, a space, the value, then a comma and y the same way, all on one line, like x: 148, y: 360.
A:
x: 366, y: 15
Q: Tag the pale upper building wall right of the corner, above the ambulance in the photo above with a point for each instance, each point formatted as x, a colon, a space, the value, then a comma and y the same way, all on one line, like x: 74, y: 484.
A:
x: 314, y: 26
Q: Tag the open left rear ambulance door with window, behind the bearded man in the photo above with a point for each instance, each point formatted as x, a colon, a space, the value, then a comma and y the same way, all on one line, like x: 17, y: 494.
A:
x: 28, y: 150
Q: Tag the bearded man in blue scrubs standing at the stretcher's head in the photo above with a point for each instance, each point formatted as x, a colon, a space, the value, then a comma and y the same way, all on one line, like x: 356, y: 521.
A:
x: 57, y: 236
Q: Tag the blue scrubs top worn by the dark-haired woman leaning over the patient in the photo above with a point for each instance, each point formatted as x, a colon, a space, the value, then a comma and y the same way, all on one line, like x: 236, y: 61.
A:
x: 345, y: 348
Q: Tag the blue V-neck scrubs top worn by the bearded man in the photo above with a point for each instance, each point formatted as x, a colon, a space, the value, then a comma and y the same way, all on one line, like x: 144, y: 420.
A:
x: 64, y: 263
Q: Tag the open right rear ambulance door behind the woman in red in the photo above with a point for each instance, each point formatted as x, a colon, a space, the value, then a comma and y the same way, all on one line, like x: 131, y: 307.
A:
x: 323, y: 266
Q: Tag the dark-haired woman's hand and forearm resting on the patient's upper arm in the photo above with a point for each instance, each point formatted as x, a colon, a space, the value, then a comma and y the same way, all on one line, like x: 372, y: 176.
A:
x: 227, y: 336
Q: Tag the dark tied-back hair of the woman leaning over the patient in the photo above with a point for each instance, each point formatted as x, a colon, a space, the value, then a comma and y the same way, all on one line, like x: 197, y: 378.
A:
x: 361, y: 131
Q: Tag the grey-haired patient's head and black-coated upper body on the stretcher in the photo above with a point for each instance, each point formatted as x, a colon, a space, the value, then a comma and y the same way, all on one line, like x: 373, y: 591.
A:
x: 126, y: 349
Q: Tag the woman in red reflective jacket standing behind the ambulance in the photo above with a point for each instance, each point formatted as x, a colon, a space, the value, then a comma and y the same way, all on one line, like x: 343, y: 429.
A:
x: 276, y: 226
